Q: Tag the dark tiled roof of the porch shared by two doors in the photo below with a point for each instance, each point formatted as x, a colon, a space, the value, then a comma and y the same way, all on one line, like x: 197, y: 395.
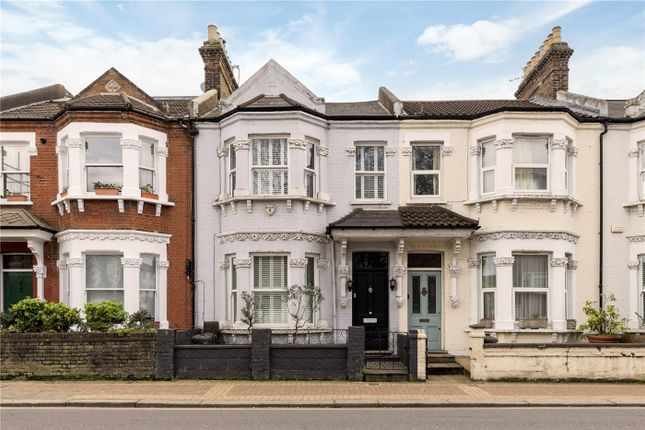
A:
x: 413, y: 216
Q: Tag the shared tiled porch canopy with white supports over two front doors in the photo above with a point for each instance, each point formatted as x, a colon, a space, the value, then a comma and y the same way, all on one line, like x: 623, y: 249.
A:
x: 395, y: 234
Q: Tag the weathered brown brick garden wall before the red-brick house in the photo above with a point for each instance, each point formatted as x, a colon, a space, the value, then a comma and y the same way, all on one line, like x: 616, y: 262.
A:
x: 76, y: 355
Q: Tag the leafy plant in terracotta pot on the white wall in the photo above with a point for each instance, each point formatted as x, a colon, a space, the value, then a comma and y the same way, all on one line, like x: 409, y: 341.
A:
x: 604, y: 325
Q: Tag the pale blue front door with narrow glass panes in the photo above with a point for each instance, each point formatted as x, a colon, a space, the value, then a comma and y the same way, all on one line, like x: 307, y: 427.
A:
x: 424, y: 305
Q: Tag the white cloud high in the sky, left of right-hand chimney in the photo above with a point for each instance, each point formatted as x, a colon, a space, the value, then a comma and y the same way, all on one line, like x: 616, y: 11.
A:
x: 490, y: 40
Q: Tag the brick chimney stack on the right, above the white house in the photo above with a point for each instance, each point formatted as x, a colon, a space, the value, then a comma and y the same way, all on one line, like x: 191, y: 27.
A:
x: 547, y: 72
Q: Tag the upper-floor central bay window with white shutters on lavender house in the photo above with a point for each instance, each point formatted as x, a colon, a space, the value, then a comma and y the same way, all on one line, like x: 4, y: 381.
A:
x: 269, y: 166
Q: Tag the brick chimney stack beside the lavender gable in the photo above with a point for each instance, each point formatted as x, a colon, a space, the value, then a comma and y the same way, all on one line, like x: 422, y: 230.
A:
x: 218, y: 71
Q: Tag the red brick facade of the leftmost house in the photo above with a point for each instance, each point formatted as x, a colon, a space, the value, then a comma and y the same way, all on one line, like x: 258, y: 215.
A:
x: 101, y: 214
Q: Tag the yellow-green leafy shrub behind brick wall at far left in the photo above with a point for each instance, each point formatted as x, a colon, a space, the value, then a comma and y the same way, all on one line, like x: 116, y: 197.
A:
x: 32, y: 315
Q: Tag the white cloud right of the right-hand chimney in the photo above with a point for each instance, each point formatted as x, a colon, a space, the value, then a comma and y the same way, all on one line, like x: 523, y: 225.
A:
x: 596, y: 74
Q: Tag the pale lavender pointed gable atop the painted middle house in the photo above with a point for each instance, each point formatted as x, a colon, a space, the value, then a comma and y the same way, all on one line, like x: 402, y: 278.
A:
x: 272, y: 81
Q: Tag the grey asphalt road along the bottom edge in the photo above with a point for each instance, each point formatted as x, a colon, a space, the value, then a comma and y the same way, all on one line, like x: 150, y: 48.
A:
x: 614, y: 418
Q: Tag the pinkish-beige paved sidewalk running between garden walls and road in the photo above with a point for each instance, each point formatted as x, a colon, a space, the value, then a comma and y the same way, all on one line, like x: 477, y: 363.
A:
x: 438, y: 391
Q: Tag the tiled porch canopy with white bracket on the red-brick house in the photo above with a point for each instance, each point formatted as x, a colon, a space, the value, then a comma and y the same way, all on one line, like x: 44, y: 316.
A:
x: 20, y: 225
